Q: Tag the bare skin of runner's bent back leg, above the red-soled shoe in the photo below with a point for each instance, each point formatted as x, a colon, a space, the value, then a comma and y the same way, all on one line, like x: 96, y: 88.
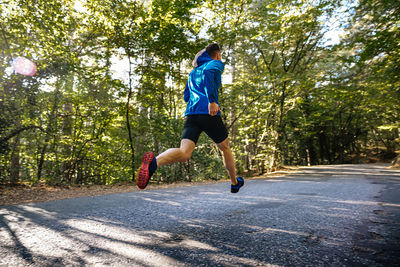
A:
x: 181, y: 154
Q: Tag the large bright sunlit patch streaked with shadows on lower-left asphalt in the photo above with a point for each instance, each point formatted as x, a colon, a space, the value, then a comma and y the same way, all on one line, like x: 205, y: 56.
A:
x: 77, y: 235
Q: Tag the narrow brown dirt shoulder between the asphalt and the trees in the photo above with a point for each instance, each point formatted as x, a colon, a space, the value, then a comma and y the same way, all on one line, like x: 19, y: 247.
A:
x: 22, y: 194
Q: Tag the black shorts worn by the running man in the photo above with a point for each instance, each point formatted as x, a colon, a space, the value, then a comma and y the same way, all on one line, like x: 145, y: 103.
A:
x: 212, y: 125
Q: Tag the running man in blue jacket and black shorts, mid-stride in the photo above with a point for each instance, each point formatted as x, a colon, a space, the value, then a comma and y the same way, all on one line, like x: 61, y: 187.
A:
x: 202, y: 114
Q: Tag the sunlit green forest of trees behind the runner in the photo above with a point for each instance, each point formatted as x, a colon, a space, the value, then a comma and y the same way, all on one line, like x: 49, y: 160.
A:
x: 306, y: 82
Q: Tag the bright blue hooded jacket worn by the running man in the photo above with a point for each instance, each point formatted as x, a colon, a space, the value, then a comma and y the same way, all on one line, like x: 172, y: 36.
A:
x: 202, y: 85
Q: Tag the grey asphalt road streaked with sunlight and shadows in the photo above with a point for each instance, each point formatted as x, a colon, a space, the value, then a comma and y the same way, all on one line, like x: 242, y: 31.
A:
x: 342, y: 215
